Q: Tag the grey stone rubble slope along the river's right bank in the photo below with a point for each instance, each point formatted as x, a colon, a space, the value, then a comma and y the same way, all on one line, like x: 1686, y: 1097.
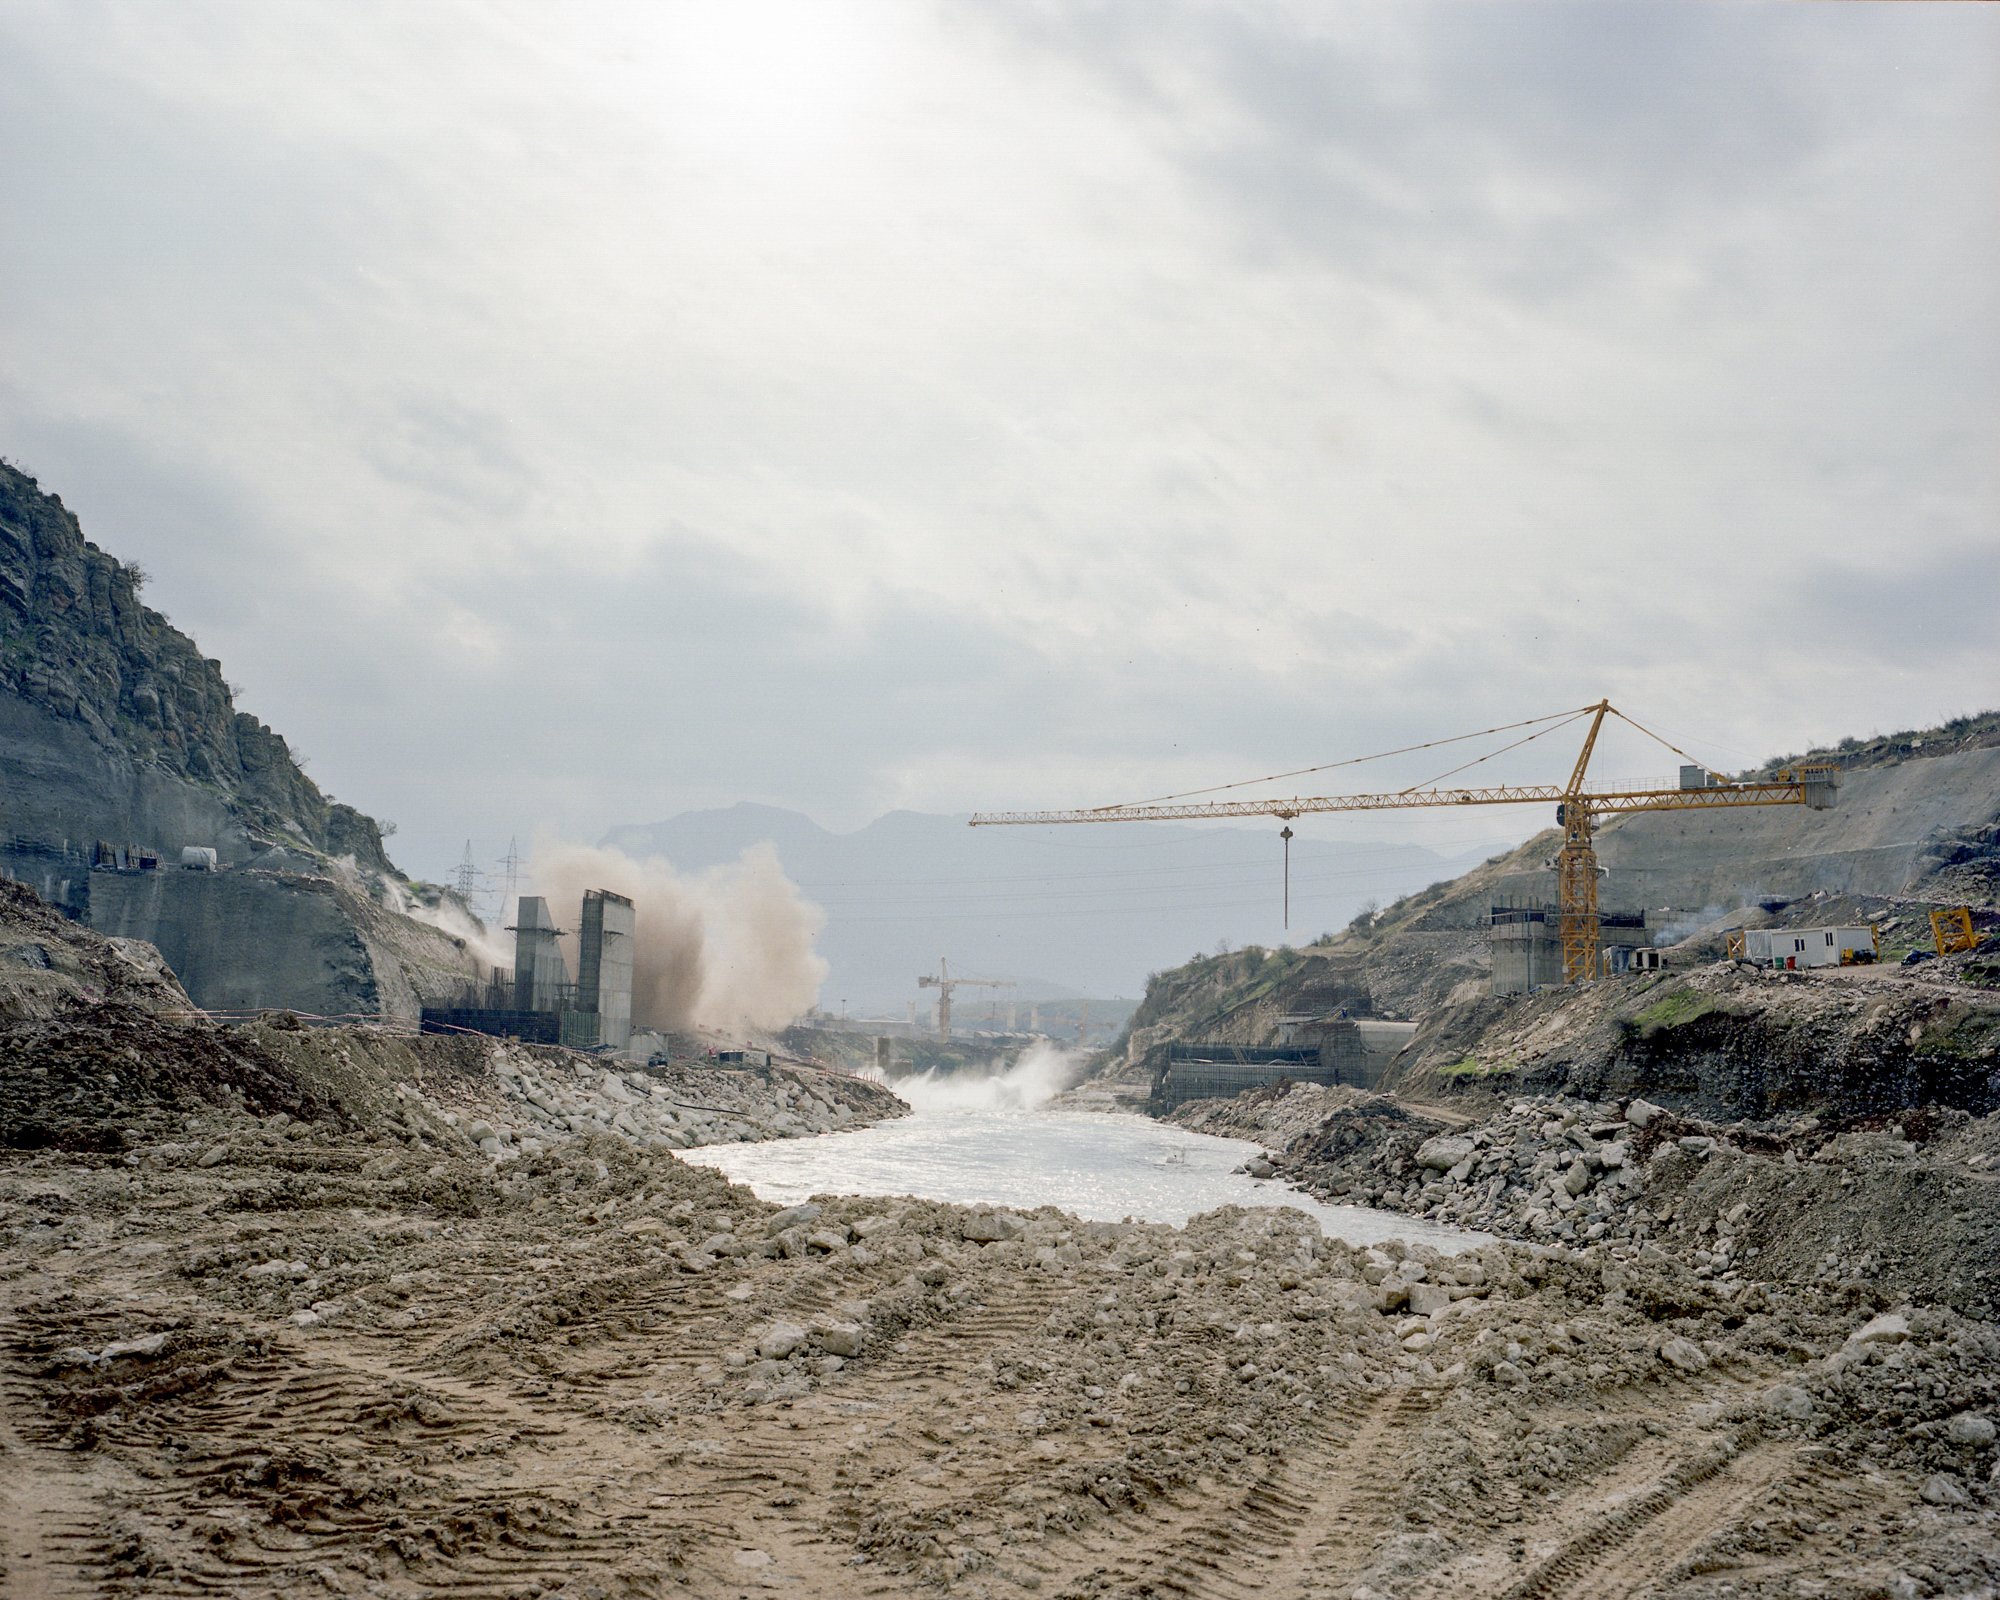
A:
x: 1909, y: 1201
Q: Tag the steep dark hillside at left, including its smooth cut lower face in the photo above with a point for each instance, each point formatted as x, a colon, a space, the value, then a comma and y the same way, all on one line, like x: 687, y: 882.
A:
x: 117, y: 731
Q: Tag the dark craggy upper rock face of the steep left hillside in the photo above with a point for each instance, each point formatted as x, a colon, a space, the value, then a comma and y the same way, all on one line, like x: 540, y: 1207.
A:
x: 123, y: 727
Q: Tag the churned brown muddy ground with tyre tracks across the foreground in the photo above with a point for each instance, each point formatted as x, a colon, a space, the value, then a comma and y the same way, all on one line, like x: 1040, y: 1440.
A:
x: 305, y: 1313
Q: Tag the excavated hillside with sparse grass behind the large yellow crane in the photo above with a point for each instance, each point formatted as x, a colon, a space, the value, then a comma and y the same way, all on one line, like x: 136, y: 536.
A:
x: 1917, y: 823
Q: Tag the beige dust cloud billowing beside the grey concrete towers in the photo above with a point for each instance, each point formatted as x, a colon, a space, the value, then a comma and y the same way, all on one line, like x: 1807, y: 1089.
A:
x: 725, y: 949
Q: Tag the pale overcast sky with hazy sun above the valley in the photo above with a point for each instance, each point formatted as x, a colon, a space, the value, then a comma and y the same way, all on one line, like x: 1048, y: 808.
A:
x: 573, y: 415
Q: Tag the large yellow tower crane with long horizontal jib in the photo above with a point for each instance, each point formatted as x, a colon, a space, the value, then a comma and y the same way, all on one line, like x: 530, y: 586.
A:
x: 1577, y: 811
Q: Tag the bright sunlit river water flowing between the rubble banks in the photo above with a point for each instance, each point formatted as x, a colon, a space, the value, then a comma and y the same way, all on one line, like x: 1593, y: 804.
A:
x: 987, y: 1143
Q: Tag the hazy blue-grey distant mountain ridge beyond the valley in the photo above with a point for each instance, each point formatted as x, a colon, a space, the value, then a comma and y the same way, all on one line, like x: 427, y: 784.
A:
x: 1059, y: 911
